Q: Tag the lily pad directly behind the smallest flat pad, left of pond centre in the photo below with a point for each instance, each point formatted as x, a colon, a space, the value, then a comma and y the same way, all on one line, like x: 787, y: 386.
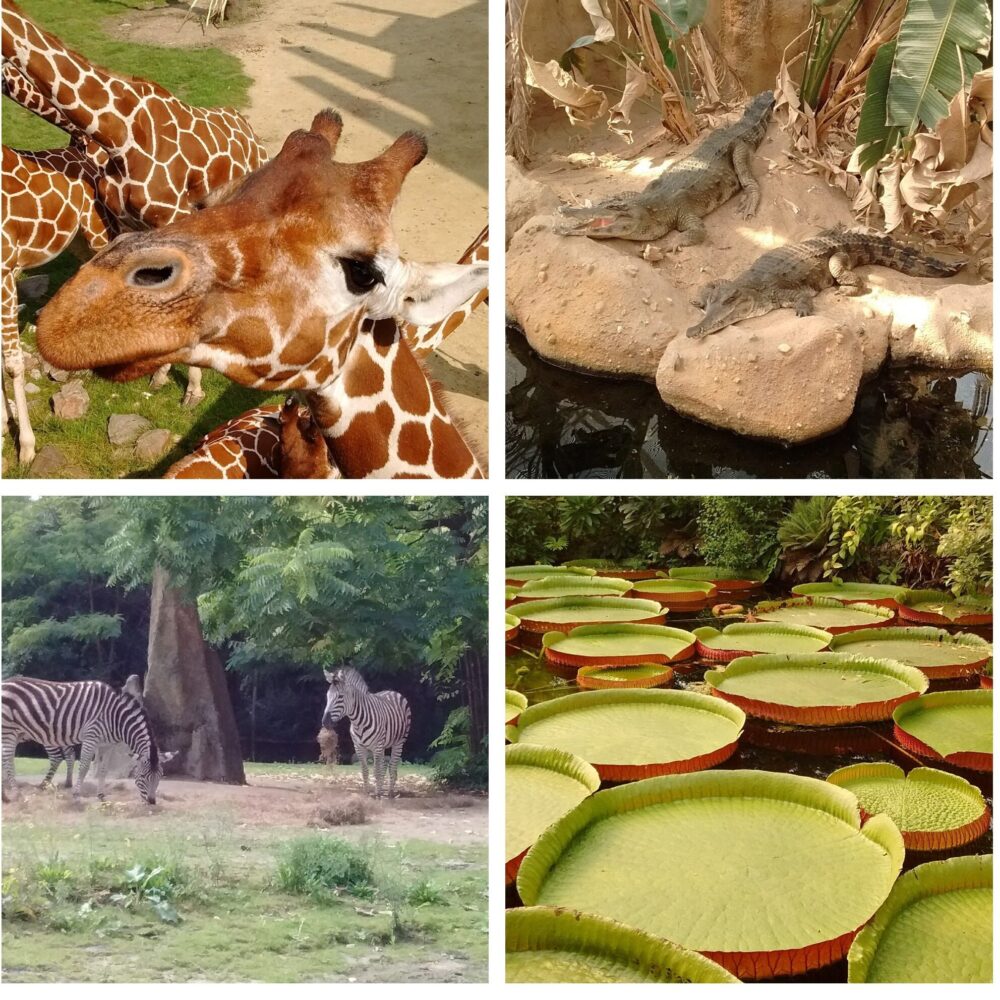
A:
x: 620, y: 645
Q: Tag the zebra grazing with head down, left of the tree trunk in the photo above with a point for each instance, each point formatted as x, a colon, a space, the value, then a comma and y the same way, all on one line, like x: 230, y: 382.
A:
x: 91, y: 713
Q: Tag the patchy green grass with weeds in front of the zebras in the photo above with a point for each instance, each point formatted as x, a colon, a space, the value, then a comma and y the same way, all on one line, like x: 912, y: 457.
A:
x: 189, y: 894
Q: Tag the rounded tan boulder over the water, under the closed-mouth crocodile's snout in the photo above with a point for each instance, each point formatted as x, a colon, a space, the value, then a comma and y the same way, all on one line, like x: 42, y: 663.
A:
x: 779, y: 377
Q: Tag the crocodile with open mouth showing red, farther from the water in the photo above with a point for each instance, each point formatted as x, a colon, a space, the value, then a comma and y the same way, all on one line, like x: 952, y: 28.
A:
x: 685, y: 192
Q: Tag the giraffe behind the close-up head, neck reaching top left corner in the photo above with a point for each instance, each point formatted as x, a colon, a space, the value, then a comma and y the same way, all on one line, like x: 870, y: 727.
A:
x: 160, y: 158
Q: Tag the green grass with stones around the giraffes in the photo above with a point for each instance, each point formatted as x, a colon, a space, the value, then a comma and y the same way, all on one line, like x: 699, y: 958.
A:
x: 206, y: 77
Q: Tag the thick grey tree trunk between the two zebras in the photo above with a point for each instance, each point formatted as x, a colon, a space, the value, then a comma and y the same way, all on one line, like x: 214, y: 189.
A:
x: 185, y: 691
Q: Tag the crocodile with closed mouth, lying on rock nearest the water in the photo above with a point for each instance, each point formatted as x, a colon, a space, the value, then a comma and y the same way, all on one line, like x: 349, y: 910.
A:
x: 790, y: 277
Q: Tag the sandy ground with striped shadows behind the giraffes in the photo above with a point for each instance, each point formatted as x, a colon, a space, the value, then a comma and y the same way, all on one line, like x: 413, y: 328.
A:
x: 387, y: 68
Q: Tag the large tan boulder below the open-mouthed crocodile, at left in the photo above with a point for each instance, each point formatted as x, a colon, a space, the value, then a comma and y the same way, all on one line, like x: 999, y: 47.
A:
x: 583, y: 304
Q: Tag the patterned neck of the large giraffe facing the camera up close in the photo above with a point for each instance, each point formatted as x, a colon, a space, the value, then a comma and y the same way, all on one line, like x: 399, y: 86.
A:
x: 383, y: 418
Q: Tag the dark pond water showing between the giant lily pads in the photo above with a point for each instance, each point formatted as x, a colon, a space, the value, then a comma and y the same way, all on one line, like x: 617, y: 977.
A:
x: 766, y: 746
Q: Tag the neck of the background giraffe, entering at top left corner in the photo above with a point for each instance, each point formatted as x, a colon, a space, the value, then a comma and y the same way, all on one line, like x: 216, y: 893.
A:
x: 87, y: 97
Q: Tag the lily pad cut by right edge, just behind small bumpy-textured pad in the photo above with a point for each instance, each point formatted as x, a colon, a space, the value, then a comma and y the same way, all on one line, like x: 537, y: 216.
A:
x: 956, y: 726
